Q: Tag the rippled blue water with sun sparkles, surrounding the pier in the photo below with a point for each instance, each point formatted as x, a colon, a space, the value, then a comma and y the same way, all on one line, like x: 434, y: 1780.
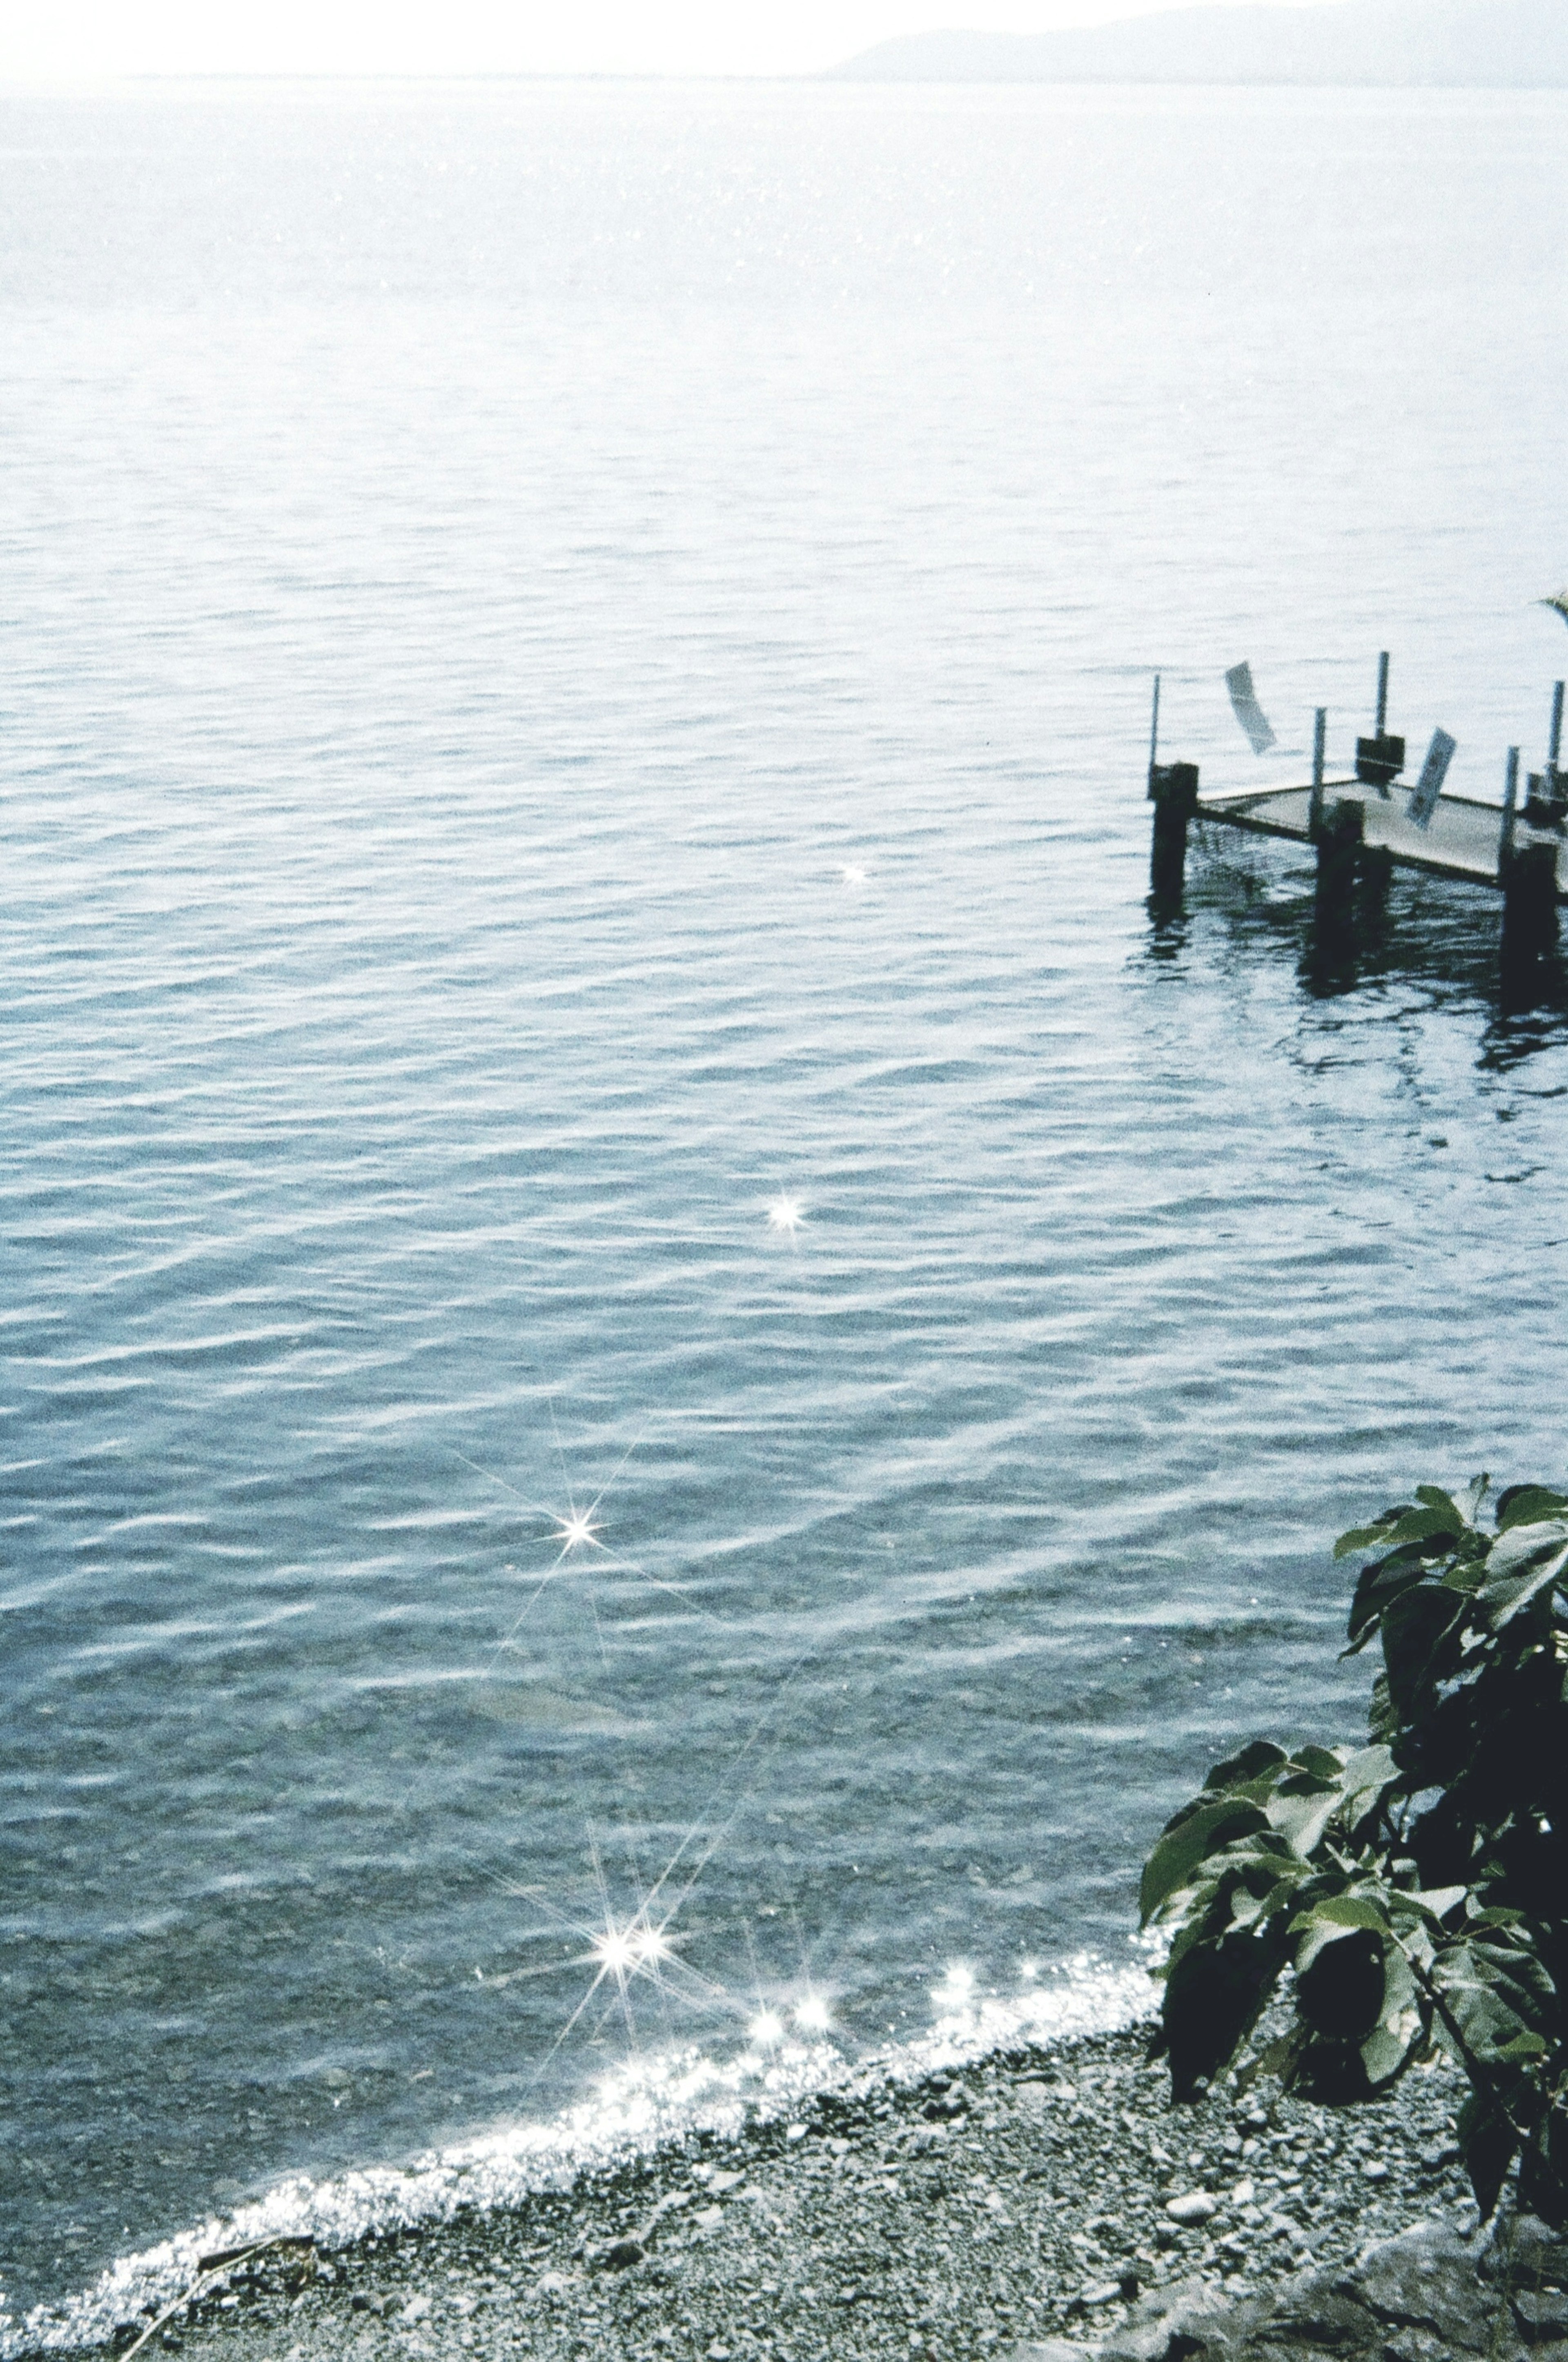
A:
x: 575, y: 667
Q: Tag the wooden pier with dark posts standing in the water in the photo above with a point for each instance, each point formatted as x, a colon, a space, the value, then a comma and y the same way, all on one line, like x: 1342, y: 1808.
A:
x: 1366, y: 826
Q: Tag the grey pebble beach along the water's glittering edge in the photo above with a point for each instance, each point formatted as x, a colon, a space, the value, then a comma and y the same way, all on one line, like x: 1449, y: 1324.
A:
x: 1028, y: 2195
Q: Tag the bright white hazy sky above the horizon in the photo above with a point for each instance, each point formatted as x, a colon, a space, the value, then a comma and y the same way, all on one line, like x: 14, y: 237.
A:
x: 478, y: 37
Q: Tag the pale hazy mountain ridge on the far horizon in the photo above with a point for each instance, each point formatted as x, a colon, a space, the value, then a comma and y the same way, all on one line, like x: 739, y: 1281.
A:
x: 1437, y: 44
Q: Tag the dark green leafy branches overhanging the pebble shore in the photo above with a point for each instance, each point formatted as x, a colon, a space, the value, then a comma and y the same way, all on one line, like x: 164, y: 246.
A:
x: 1409, y: 1893
